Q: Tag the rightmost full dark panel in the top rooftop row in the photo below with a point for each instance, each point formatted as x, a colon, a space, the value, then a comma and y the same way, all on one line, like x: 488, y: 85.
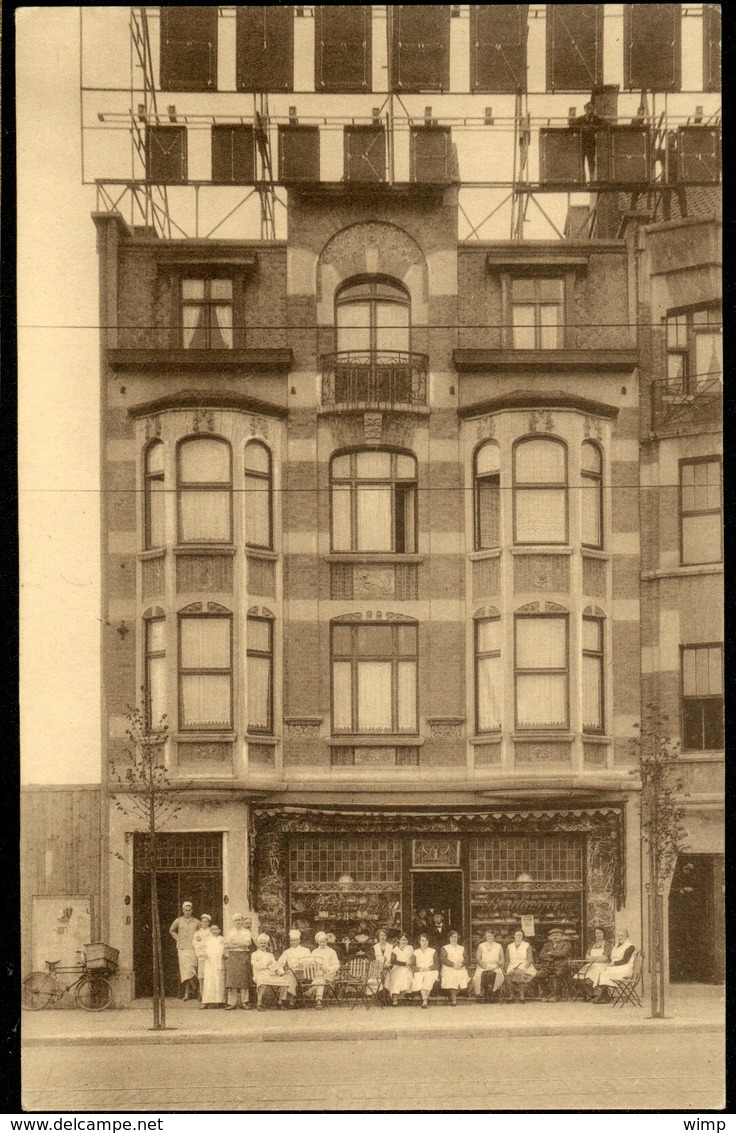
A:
x: 653, y: 47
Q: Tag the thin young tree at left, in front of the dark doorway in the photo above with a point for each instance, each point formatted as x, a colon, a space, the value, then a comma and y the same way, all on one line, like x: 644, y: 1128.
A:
x: 147, y: 796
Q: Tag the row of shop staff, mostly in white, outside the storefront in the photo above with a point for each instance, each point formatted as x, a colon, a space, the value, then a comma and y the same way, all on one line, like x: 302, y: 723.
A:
x: 224, y: 970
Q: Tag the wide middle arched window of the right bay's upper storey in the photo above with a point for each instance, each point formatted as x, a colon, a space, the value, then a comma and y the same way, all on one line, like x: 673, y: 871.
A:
x: 541, y: 491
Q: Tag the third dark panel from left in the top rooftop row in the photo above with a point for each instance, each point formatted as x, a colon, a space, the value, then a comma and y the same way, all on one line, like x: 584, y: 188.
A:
x: 344, y: 48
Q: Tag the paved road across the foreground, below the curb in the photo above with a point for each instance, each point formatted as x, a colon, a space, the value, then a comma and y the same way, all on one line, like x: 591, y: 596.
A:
x: 645, y: 1072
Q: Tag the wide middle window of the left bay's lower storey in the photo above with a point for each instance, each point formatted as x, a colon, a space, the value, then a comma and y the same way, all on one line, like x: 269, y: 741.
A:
x: 206, y: 674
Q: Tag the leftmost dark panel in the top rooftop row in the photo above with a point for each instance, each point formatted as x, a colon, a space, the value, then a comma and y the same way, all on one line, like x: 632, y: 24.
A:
x: 189, y: 49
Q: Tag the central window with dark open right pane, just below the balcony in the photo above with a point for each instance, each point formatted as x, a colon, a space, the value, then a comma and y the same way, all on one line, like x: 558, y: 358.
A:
x: 374, y: 502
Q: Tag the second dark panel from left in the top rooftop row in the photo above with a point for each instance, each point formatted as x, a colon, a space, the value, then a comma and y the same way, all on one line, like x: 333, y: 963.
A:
x: 266, y: 48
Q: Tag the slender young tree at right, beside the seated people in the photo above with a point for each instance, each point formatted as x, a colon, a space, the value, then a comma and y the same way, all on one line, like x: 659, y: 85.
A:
x: 663, y: 833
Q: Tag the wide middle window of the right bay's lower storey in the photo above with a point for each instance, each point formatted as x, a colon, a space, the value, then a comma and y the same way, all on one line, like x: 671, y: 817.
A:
x: 542, y: 671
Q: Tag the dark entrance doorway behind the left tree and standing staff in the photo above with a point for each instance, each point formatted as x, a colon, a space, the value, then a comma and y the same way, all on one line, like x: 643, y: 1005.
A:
x: 190, y: 870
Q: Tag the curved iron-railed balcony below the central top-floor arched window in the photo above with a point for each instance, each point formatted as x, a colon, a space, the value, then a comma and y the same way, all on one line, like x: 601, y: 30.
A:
x: 374, y: 380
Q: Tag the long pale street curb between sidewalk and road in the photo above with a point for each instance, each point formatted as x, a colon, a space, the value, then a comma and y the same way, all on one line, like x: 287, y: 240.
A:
x: 343, y: 1035
